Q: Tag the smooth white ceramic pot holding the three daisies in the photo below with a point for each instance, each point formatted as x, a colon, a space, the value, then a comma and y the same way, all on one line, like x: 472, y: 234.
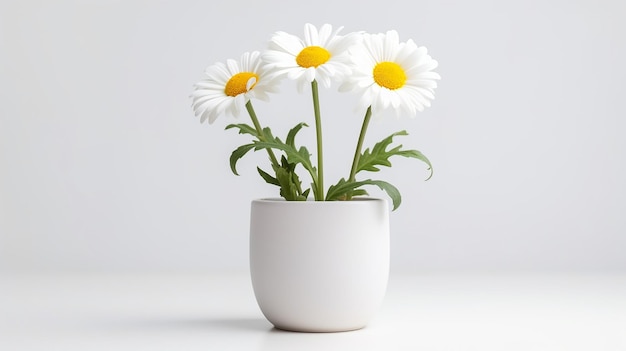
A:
x: 319, y: 266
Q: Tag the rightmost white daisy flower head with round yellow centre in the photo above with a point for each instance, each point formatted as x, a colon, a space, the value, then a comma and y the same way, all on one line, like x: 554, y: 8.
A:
x: 388, y: 73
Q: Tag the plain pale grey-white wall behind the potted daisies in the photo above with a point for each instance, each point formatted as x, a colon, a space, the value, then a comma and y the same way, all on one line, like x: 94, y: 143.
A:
x: 104, y: 168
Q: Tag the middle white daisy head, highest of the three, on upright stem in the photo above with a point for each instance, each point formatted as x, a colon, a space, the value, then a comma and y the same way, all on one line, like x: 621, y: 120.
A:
x: 321, y: 55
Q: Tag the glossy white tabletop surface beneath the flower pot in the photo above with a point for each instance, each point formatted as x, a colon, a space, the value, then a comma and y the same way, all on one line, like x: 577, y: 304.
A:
x: 218, y: 312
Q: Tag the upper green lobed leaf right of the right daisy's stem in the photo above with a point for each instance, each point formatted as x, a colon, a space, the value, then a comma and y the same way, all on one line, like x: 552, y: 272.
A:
x: 379, y: 155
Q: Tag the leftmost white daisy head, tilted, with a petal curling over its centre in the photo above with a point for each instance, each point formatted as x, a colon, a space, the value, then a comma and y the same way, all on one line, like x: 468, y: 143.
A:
x: 229, y: 86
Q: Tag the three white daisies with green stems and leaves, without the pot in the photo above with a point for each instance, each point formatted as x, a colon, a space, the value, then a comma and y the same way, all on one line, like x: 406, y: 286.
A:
x: 384, y: 72
